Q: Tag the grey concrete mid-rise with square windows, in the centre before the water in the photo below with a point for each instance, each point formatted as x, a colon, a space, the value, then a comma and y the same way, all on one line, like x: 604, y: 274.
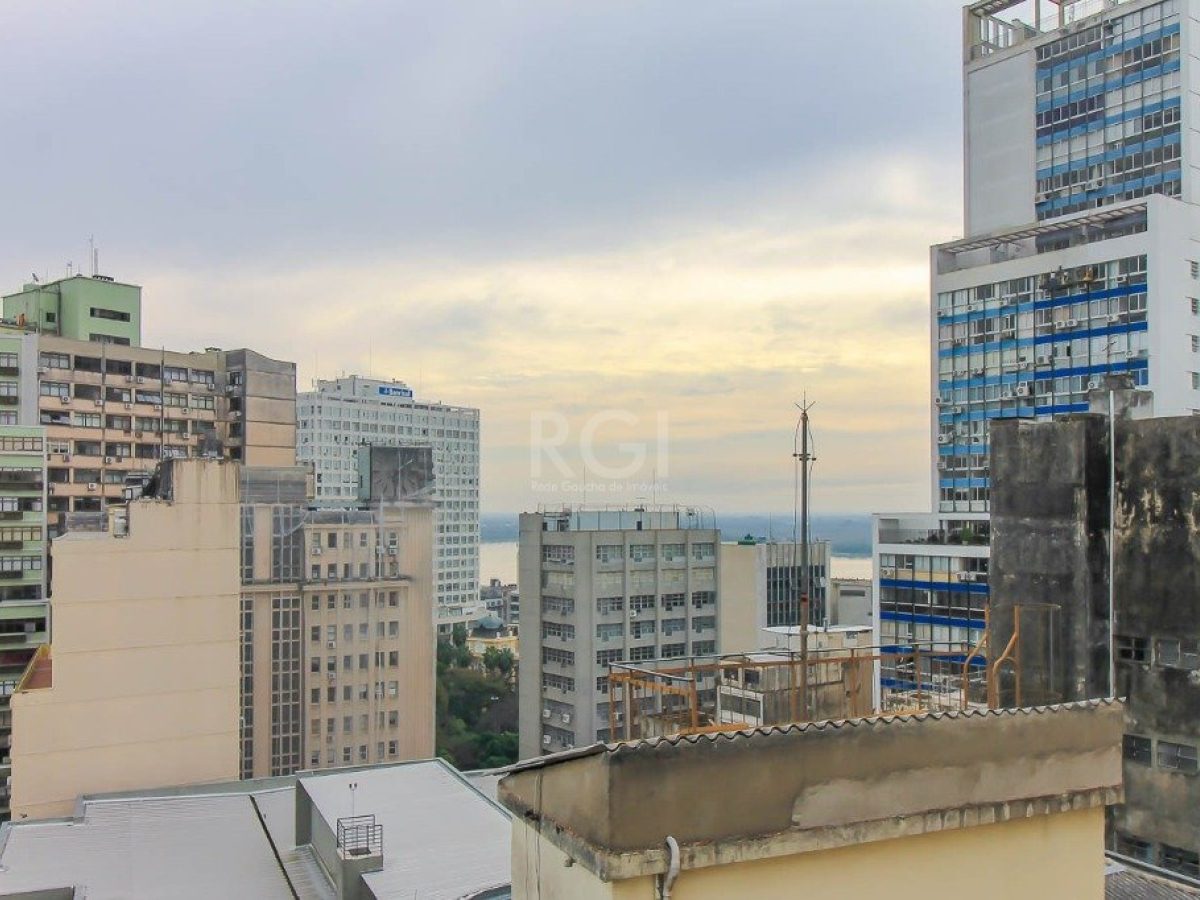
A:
x: 603, y: 586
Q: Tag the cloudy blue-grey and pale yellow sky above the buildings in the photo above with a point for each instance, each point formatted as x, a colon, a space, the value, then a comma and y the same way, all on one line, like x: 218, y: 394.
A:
x: 633, y: 235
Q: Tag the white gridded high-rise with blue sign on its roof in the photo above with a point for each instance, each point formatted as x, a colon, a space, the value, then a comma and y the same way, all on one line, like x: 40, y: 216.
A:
x: 341, y: 416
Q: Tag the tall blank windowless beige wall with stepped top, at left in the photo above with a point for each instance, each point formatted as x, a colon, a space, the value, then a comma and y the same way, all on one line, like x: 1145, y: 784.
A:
x: 140, y: 687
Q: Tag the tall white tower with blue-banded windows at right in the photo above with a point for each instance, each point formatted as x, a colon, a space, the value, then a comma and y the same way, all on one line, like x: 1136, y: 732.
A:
x: 1079, y: 261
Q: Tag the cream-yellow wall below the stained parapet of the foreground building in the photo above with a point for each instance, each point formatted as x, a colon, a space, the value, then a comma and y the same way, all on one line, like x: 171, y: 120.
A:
x: 1041, y: 857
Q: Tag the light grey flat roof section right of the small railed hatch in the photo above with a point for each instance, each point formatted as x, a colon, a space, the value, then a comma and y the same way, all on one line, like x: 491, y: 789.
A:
x: 442, y: 839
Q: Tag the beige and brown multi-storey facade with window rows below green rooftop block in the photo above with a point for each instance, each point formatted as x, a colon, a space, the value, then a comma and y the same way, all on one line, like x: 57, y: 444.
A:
x: 112, y: 412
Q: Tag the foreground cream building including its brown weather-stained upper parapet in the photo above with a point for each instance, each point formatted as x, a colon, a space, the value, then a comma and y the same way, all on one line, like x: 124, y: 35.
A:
x: 982, y: 805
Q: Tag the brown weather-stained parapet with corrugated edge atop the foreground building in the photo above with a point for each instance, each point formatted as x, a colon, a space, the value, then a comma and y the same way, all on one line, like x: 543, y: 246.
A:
x: 777, y: 791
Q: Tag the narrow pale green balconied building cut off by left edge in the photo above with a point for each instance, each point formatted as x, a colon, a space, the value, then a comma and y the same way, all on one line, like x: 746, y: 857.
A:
x: 25, y: 611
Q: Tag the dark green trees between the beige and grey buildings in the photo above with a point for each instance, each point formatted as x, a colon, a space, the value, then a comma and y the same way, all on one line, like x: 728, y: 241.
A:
x: 476, y: 710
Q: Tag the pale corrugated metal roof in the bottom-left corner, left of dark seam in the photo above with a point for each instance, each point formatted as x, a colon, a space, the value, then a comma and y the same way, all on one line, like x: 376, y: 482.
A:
x: 181, y: 848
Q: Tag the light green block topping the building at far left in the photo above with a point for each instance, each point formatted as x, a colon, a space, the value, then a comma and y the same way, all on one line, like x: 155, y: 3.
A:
x: 80, y: 308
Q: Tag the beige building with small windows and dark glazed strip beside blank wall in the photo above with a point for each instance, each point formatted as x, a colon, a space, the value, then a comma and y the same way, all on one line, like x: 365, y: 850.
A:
x: 338, y: 633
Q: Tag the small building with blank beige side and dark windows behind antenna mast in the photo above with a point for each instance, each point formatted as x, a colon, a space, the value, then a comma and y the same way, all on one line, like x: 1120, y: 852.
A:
x: 761, y: 587
